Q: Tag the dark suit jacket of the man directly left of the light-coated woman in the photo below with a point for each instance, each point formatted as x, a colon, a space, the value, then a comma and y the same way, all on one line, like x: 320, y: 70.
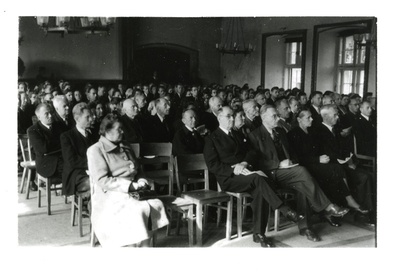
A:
x: 74, y: 147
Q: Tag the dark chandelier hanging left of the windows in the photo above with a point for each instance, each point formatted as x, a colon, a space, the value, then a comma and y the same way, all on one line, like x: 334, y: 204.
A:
x: 233, y: 39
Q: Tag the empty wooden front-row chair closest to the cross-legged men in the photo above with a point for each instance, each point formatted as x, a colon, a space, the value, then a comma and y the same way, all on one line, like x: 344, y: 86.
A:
x: 202, y: 197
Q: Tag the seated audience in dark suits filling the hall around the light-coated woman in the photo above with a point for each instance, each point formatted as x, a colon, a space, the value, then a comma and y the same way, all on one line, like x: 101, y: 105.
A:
x: 239, y: 130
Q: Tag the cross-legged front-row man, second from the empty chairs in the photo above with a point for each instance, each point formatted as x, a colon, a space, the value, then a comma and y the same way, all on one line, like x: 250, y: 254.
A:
x: 276, y: 159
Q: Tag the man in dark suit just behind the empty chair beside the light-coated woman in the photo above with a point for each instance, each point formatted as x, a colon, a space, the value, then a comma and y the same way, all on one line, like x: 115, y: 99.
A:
x: 160, y: 125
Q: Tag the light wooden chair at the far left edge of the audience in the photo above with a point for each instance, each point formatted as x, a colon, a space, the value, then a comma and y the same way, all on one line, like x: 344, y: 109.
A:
x: 28, y: 164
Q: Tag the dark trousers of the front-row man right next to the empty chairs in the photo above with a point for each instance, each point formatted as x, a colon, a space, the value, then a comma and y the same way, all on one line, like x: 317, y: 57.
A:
x: 263, y: 194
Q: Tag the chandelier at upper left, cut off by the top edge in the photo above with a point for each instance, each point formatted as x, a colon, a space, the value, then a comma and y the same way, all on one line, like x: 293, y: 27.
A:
x: 72, y: 25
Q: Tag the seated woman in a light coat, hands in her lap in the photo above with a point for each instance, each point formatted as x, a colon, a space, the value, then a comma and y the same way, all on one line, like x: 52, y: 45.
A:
x: 117, y: 218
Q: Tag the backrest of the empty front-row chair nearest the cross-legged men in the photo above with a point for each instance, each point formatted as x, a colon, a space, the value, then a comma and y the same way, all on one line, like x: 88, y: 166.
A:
x: 191, y: 162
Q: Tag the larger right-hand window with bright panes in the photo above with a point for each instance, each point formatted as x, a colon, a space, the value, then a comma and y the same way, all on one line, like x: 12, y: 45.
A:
x: 351, y: 63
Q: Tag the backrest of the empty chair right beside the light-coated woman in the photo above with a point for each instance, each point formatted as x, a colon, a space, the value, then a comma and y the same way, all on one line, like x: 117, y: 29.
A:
x: 154, y: 157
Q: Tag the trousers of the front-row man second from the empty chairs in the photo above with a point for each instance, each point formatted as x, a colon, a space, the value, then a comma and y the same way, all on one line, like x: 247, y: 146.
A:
x: 309, y: 194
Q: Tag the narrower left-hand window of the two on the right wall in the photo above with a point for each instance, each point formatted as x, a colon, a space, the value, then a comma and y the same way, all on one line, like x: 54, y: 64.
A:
x: 293, y: 65
